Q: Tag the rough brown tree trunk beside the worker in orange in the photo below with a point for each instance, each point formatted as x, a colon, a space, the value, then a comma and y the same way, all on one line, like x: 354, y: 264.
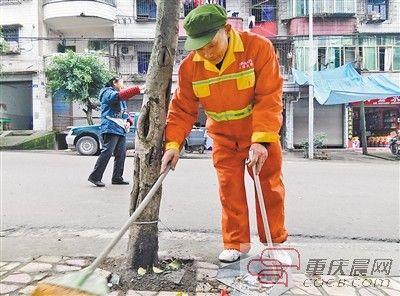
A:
x: 143, y: 238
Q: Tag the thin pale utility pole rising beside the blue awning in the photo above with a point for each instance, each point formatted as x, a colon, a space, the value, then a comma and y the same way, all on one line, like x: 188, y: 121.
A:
x: 311, y: 81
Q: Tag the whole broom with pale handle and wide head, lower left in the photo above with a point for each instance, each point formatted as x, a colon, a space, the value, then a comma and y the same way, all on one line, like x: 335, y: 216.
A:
x: 88, y: 281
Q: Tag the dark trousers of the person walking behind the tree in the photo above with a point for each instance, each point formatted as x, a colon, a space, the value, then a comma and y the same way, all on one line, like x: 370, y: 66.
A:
x: 112, y: 143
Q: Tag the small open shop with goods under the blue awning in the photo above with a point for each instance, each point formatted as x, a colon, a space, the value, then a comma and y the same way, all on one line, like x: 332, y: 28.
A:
x: 382, y: 118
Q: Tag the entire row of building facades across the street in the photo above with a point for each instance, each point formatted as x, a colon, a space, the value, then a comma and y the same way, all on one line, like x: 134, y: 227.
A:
x: 122, y: 32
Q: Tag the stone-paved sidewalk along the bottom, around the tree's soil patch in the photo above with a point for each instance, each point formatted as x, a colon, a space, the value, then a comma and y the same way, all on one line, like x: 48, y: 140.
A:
x: 19, y: 277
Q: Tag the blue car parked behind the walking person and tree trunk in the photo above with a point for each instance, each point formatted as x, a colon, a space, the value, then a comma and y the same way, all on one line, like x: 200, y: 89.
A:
x: 88, y: 141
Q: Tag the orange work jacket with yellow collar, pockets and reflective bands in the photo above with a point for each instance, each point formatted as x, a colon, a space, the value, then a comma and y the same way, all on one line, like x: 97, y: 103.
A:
x: 242, y: 100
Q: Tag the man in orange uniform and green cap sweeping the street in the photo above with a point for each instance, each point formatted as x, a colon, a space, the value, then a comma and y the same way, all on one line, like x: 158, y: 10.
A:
x: 235, y: 77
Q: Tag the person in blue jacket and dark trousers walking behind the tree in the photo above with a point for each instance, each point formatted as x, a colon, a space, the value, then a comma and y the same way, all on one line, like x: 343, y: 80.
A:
x: 115, y: 123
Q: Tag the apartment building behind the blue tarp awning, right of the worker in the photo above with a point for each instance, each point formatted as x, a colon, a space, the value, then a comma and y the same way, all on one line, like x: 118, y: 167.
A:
x: 364, y: 31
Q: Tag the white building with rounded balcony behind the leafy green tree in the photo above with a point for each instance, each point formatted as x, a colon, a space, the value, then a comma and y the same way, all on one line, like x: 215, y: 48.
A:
x: 34, y: 31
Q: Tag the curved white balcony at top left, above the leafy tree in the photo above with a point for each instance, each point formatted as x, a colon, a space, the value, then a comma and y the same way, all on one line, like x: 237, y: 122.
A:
x: 69, y: 14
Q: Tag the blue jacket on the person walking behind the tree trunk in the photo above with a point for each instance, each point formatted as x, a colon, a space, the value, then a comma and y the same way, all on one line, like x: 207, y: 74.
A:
x: 111, y: 107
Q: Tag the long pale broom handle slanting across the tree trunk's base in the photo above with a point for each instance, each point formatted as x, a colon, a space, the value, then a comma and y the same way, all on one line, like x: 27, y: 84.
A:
x: 135, y: 215
